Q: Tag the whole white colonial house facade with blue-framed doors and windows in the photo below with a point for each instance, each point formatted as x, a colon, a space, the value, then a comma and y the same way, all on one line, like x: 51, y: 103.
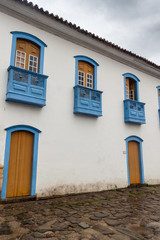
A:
x: 78, y: 113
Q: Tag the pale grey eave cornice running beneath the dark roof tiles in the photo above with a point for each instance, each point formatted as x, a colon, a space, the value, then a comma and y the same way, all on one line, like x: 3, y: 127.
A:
x: 31, y: 16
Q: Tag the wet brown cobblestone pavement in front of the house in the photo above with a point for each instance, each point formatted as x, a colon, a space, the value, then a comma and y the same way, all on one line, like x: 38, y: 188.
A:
x: 122, y: 214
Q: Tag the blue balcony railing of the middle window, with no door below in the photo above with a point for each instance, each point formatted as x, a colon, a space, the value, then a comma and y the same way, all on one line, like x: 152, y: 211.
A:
x: 87, y: 101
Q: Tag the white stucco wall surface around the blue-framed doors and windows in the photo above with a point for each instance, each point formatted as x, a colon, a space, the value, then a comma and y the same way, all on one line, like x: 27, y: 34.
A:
x: 80, y: 153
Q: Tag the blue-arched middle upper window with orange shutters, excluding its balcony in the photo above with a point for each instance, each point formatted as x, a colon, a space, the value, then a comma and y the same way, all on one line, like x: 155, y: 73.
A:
x: 86, y: 72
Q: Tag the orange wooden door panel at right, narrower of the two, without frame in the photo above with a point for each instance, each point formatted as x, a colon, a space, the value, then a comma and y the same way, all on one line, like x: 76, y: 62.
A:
x: 133, y: 158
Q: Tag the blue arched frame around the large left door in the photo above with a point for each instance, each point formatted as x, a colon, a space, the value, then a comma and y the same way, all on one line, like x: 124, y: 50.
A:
x: 9, y: 130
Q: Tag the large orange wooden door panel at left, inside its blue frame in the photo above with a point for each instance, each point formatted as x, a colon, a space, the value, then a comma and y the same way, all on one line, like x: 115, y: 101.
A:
x: 20, y: 164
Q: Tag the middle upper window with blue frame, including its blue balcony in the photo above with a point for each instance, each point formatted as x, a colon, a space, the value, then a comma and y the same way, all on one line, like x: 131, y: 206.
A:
x: 87, y: 99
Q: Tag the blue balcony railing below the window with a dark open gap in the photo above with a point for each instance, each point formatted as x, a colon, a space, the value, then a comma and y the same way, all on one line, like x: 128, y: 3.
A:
x: 134, y: 111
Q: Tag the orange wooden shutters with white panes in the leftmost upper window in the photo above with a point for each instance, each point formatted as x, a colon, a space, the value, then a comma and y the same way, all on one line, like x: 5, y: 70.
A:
x: 27, y: 55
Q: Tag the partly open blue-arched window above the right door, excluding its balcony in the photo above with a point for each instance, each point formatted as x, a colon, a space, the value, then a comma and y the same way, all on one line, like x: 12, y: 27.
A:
x: 131, y: 89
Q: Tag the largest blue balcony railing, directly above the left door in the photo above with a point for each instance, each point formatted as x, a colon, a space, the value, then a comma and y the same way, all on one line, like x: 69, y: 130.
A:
x: 25, y: 86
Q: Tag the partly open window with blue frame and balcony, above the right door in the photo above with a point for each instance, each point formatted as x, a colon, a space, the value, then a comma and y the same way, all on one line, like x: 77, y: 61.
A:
x: 134, y: 111
